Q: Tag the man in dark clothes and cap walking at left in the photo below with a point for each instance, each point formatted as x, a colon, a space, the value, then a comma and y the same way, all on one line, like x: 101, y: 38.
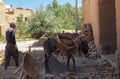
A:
x: 11, y: 48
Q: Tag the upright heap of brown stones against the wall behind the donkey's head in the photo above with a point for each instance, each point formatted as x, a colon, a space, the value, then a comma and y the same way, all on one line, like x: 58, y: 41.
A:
x: 87, y: 33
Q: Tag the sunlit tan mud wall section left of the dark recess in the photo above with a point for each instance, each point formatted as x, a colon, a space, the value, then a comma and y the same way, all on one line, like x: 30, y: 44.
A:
x: 90, y: 15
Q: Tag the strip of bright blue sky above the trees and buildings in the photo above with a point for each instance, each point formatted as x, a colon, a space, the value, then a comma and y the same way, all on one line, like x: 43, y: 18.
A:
x: 33, y: 4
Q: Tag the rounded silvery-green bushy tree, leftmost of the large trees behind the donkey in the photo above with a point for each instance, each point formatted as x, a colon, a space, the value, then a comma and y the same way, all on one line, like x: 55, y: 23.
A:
x: 42, y: 21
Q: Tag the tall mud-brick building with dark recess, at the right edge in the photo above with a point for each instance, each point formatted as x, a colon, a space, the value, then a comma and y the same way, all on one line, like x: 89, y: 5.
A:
x: 104, y: 16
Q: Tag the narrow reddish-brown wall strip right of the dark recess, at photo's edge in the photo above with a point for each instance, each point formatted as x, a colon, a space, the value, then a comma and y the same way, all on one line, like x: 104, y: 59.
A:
x: 118, y: 23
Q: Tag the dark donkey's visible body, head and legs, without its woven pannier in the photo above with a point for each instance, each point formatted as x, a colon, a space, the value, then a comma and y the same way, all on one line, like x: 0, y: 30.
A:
x: 50, y: 46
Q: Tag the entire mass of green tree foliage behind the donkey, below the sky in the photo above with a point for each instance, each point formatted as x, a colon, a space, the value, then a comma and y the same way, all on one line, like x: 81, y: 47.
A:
x: 54, y: 18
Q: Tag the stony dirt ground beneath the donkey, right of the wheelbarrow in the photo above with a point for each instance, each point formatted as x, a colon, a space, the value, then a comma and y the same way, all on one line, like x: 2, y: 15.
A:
x: 86, y: 68
